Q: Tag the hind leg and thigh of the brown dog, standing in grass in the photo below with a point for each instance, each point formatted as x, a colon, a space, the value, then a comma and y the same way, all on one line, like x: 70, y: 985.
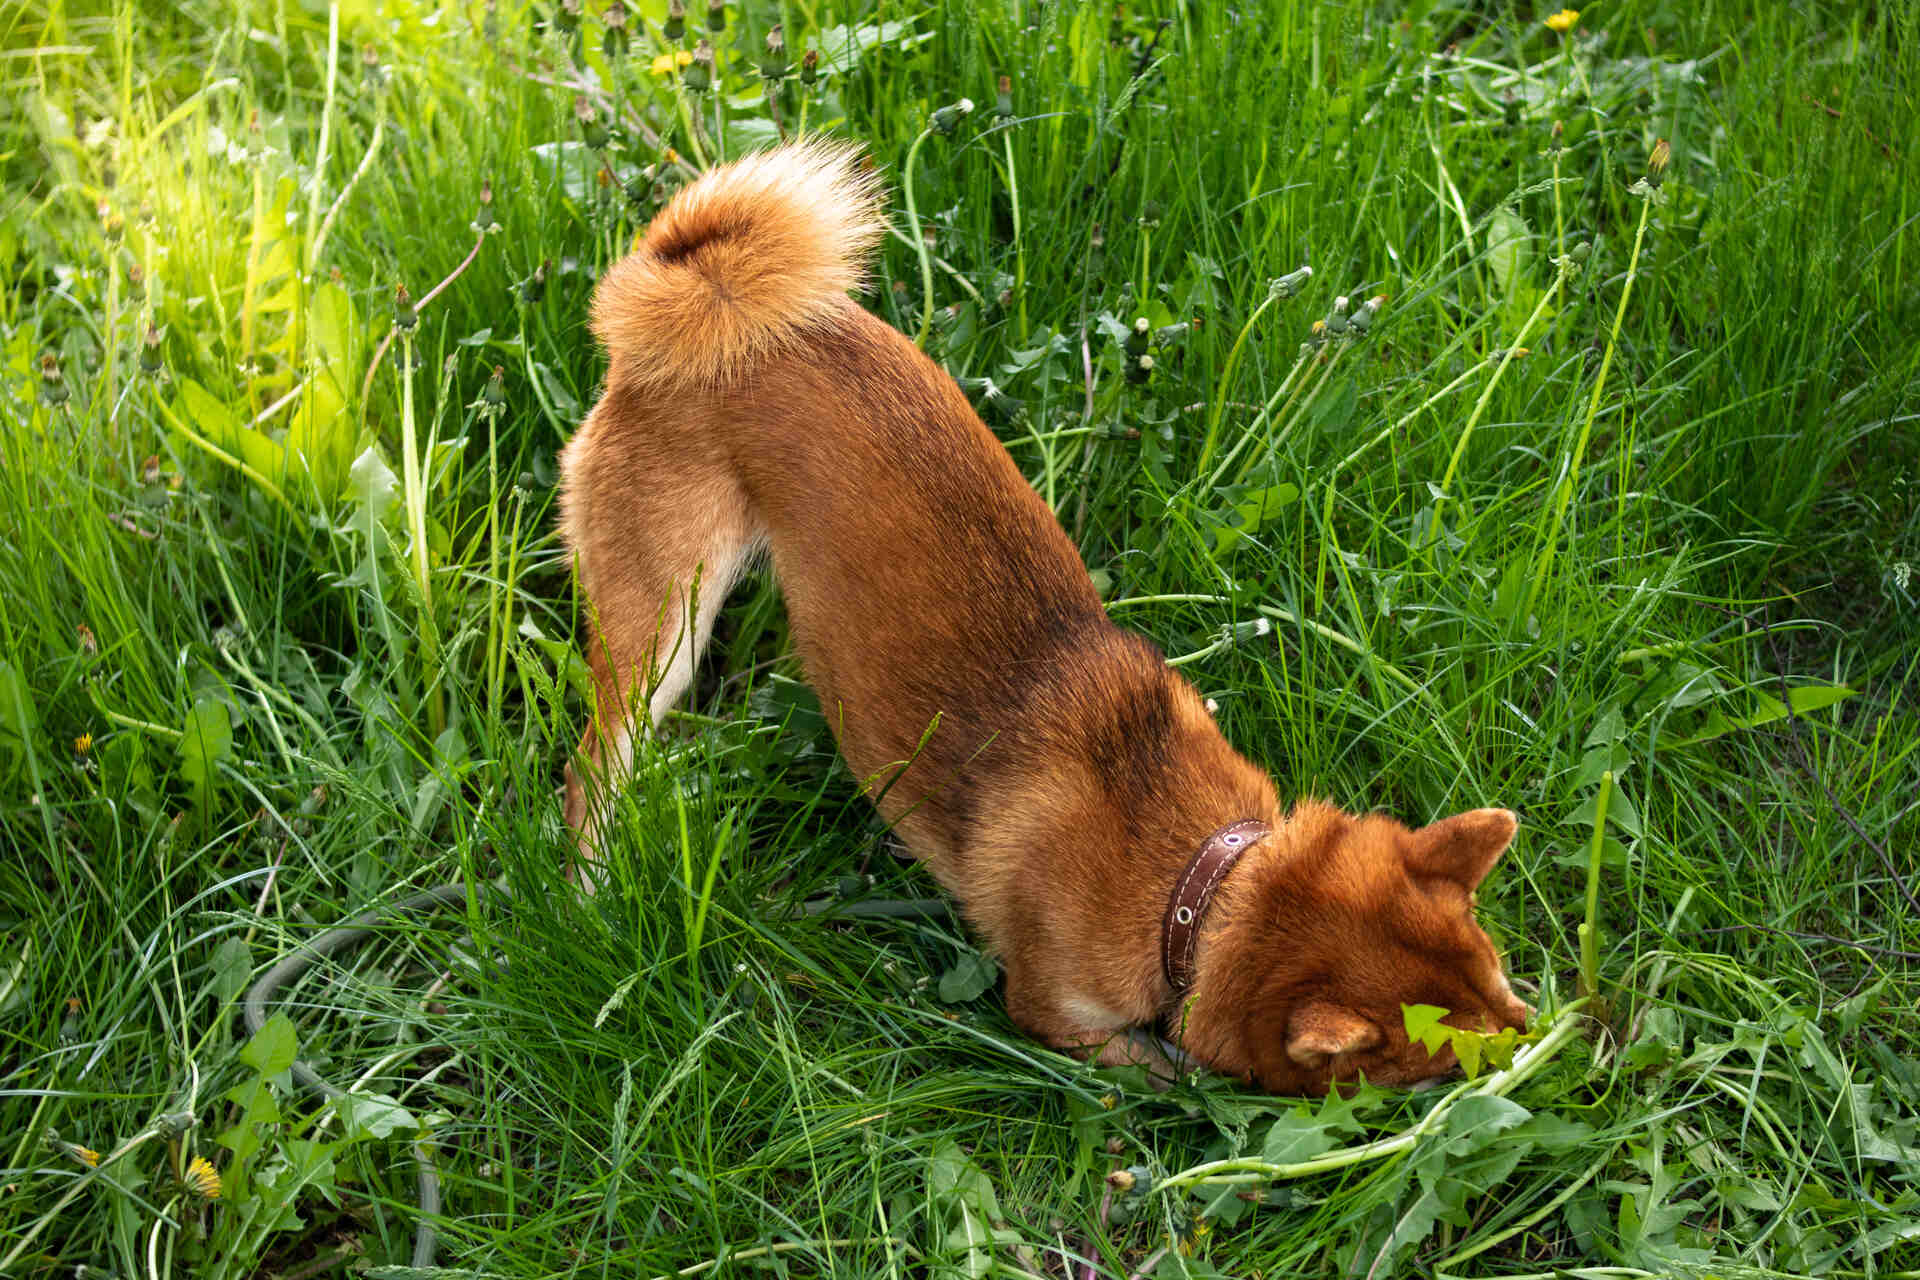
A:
x: 658, y: 554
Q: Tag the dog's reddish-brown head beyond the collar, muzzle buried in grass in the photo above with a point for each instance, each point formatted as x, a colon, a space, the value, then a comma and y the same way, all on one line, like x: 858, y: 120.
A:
x: 1339, y: 926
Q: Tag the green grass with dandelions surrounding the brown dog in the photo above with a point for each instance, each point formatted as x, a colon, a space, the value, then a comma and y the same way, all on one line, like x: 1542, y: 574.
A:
x: 266, y: 665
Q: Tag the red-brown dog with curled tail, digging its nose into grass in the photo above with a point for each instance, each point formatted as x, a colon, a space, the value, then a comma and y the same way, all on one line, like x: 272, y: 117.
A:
x: 1126, y: 865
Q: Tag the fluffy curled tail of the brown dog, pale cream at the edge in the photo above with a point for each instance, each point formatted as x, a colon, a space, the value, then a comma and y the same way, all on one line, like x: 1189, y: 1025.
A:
x: 738, y: 264
